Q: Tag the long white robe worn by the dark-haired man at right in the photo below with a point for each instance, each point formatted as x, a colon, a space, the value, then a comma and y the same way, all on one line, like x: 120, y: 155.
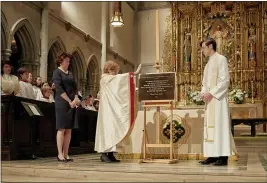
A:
x: 218, y: 140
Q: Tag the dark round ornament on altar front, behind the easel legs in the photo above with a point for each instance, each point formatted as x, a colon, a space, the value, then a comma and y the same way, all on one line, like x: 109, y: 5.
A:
x: 178, y: 130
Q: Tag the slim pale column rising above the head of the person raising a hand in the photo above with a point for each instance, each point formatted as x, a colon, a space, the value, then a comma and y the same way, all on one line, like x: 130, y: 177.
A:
x: 104, y: 14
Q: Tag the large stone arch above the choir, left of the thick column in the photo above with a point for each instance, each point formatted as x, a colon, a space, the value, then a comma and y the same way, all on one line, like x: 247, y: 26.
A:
x: 23, y: 33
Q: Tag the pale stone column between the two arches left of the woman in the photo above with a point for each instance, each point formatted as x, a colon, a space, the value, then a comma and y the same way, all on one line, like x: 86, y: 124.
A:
x: 44, y: 42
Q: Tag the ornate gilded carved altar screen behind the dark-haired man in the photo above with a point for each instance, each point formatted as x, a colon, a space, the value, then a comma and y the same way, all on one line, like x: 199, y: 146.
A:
x: 240, y: 30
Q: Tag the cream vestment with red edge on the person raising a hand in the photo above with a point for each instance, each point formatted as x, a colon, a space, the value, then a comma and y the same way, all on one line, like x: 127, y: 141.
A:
x: 116, y: 110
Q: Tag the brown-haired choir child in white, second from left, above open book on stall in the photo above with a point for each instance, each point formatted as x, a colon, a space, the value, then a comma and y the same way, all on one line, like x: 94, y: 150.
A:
x: 26, y: 89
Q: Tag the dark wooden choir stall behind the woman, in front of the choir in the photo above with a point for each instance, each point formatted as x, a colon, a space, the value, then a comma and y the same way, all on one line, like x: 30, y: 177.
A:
x: 28, y: 135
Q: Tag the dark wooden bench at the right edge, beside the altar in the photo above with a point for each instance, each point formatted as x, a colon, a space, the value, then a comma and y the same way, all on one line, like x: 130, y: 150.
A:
x: 252, y: 122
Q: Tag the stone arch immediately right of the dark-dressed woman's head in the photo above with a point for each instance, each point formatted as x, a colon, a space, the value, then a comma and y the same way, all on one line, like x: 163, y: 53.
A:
x: 77, y: 67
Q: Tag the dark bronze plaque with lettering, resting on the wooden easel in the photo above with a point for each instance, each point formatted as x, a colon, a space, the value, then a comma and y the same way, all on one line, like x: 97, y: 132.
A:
x: 158, y: 86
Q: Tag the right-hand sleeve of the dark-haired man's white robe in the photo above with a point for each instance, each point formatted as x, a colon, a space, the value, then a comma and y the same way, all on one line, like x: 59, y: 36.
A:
x: 222, y: 80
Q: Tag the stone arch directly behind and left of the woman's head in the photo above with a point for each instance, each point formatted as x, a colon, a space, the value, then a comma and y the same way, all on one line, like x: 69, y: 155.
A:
x: 56, y: 47
